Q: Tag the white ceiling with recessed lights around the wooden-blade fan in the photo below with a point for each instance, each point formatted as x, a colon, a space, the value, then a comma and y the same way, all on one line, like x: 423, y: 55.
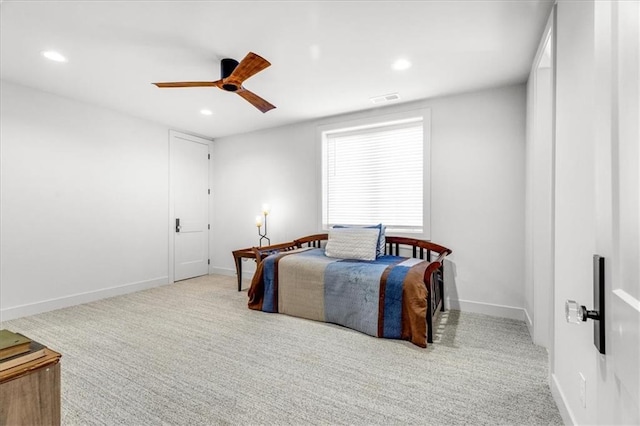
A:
x: 327, y: 57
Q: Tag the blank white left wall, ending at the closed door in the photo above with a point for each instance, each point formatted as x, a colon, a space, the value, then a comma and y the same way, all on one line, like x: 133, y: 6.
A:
x: 84, y: 202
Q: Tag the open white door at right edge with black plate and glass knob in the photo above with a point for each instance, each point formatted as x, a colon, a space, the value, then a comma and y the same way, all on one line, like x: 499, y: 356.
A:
x: 617, y: 161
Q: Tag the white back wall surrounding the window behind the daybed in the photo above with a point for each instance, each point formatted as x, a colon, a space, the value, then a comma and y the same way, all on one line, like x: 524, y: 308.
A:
x: 477, y: 195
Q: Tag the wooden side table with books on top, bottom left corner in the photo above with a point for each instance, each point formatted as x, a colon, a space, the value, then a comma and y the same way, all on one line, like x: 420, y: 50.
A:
x: 30, y: 392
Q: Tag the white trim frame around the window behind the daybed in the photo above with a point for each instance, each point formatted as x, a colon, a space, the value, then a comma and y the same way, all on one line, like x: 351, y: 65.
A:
x: 354, y: 124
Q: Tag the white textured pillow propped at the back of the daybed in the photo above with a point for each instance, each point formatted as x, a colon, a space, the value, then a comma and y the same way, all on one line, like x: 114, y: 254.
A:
x: 353, y: 243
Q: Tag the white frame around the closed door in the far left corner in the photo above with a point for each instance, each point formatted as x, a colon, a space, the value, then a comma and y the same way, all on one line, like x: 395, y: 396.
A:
x: 175, y: 134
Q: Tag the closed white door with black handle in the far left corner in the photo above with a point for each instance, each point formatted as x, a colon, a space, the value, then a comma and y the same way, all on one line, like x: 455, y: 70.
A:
x: 190, y: 207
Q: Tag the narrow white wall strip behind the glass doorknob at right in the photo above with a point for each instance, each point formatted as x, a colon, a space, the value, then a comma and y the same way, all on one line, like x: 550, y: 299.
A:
x: 575, y: 183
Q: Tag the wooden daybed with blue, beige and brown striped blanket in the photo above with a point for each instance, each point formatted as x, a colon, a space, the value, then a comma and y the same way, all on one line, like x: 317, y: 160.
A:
x: 396, y: 295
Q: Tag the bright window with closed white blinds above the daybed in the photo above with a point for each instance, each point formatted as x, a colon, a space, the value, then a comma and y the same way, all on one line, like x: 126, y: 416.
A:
x: 376, y: 173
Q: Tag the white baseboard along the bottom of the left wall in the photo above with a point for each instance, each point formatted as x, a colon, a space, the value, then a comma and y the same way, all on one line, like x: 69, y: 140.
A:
x: 78, y: 299
